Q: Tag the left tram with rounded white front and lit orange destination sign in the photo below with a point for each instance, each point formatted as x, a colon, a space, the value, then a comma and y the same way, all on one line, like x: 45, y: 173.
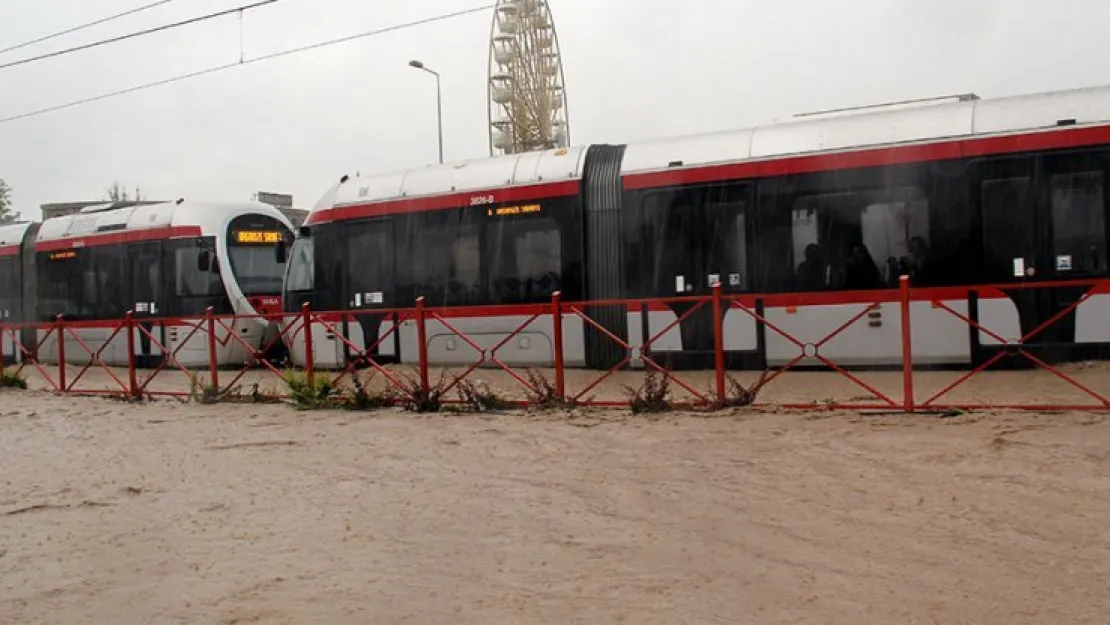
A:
x: 162, y: 261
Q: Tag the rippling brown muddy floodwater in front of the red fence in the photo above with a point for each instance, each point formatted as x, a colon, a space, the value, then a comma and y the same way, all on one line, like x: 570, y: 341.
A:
x: 166, y: 513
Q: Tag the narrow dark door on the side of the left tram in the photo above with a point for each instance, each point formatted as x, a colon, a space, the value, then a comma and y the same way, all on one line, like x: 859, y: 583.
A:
x: 146, y: 264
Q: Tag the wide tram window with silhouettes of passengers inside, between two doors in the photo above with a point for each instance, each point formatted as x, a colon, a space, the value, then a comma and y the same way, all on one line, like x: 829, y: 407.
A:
x: 862, y: 239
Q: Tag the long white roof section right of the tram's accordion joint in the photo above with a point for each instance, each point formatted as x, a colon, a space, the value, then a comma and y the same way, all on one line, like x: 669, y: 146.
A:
x: 957, y: 118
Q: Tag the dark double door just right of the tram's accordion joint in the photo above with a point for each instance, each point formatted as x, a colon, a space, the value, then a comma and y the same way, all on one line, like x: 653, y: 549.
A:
x: 700, y: 239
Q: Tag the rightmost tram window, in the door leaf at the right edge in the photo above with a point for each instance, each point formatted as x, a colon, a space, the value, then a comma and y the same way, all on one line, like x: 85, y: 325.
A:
x: 1079, y: 224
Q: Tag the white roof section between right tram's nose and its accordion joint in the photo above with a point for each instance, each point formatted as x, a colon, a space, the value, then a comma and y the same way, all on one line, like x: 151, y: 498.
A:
x: 476, y: 175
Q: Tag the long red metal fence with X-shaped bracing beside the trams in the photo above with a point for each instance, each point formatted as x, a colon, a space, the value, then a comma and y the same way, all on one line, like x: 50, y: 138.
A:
x: 188, y: 355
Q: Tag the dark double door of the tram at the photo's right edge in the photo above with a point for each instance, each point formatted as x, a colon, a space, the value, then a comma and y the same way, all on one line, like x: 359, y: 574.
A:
x: 1044, y: 220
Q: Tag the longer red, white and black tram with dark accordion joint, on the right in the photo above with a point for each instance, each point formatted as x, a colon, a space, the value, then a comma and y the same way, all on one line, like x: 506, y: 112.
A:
x: 806, y: 219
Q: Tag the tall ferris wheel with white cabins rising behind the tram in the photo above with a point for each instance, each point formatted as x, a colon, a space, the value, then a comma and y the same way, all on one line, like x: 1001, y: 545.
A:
x: 528, y: 99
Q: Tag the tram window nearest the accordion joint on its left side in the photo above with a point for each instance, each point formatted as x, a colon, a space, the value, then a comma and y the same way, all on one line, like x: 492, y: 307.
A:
x: 526, y: 260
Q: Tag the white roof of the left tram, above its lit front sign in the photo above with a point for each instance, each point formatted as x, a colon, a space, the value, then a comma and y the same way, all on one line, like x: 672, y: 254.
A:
x: 102, y: 218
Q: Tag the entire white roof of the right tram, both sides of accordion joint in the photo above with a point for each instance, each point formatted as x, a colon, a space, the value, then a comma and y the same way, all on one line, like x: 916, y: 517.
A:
x: 903, y: 123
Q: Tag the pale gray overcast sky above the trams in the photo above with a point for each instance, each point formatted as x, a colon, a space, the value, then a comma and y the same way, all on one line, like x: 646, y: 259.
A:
x: 635, y: 69
